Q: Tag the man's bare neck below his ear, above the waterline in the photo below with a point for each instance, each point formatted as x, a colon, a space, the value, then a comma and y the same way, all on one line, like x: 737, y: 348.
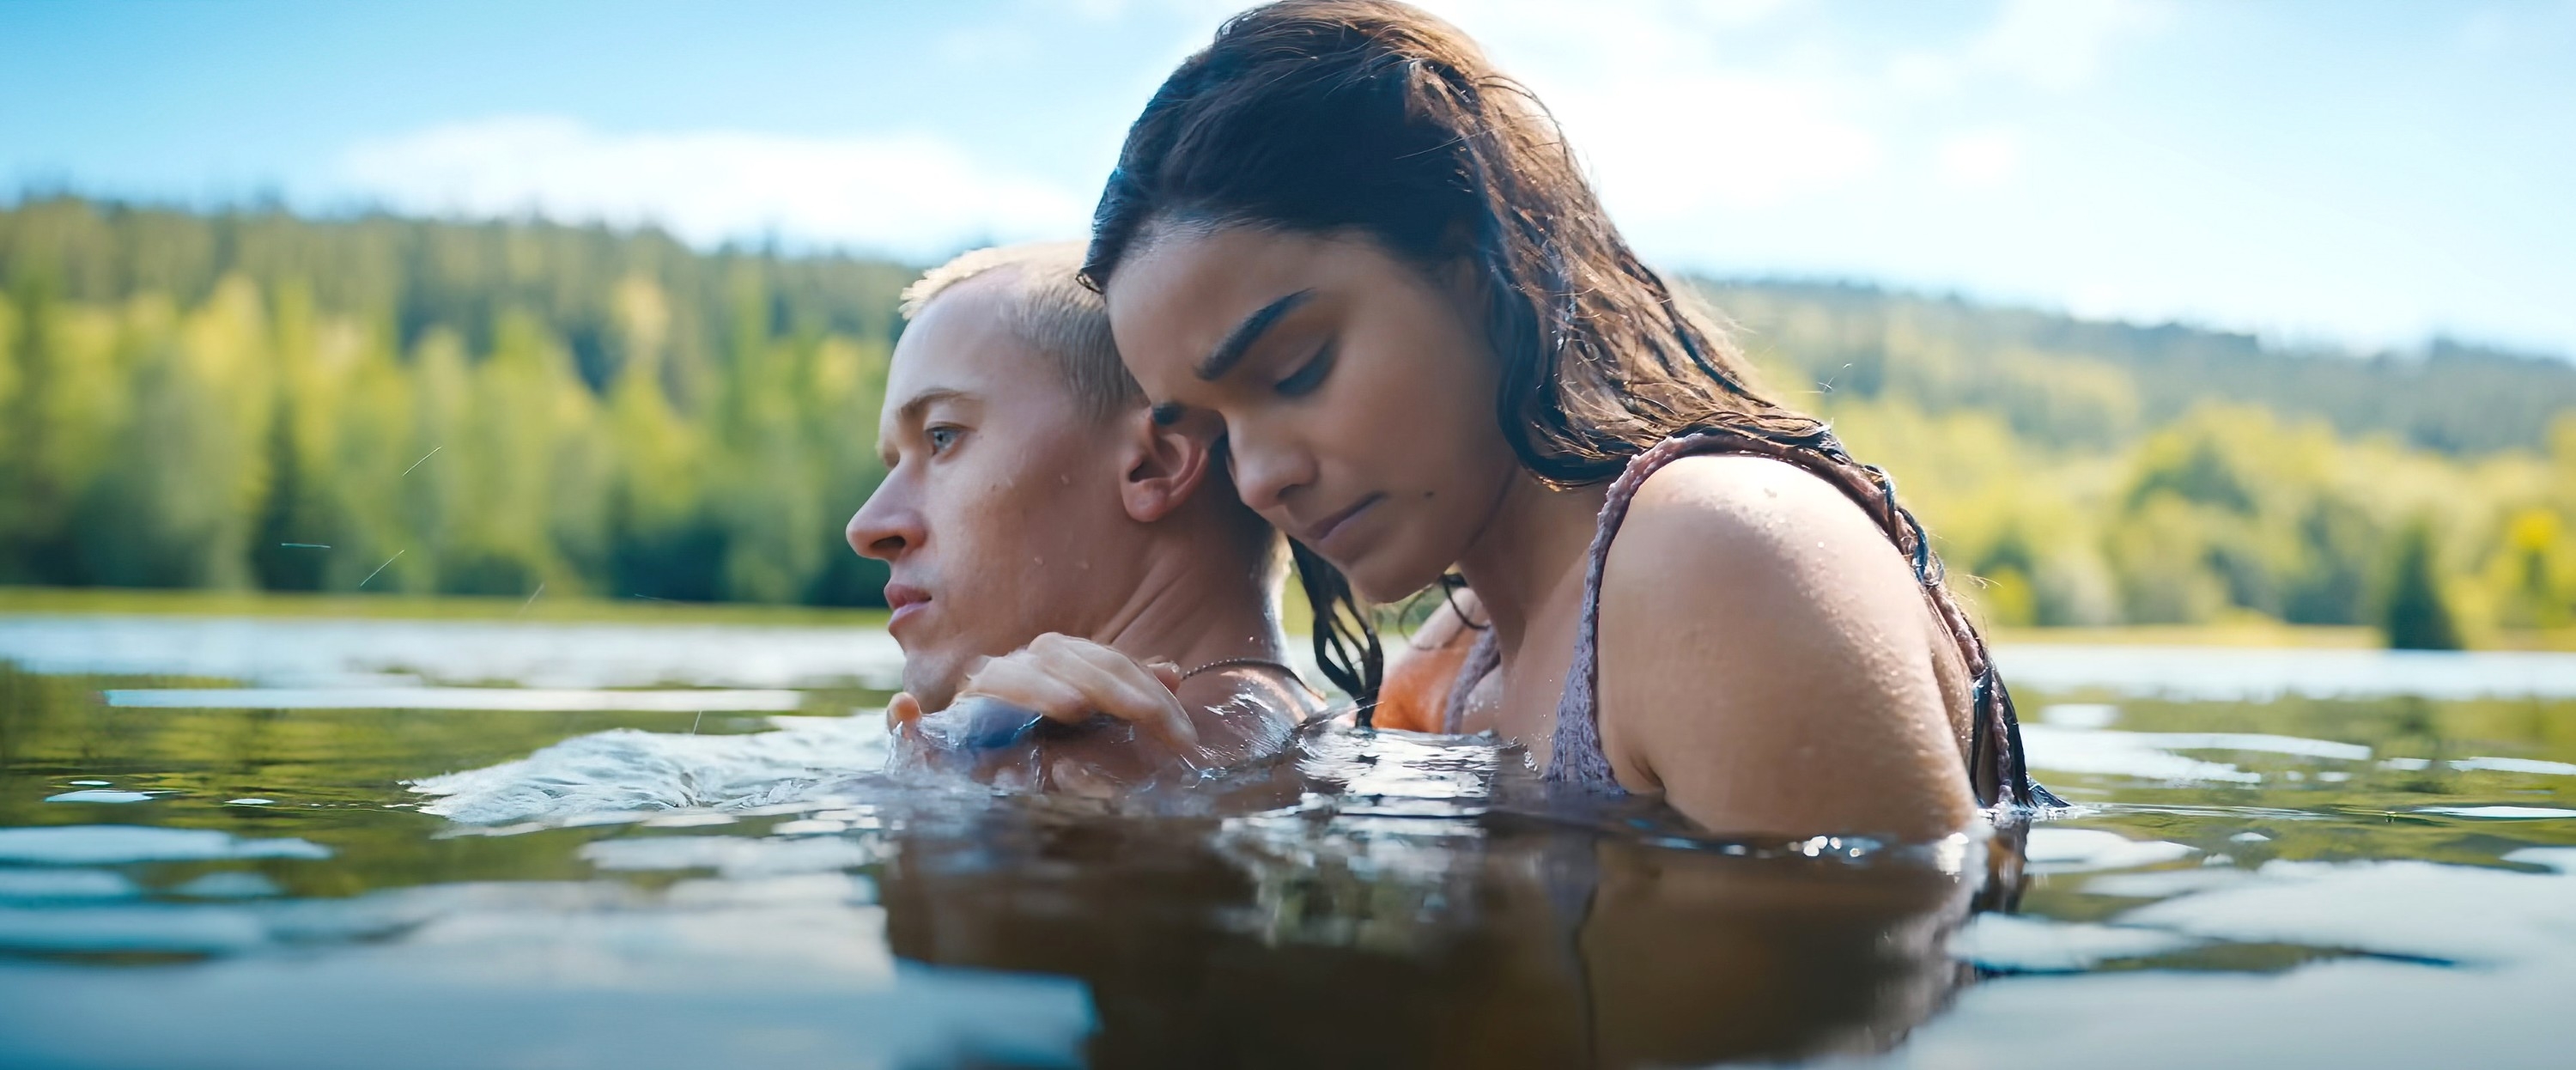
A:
x: 1194, y: 607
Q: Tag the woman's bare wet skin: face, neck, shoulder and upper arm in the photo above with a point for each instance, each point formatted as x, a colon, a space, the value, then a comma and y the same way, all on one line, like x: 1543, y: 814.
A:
x: 1766, y: 656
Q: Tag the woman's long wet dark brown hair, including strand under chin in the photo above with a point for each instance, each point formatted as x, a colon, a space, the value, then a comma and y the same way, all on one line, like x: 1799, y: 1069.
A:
x: 1377, y: 120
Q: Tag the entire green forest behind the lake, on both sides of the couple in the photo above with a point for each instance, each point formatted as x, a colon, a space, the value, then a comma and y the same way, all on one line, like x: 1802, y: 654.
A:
x: 254, y: 401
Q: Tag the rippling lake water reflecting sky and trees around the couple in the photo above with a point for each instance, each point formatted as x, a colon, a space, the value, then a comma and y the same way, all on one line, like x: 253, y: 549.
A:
x: 434, y: 844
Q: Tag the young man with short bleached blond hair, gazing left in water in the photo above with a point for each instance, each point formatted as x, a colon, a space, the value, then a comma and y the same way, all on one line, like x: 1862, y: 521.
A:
x: 1057, y: 550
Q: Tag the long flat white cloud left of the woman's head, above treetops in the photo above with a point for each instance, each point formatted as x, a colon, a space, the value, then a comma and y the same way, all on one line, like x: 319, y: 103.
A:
x: 905, y: 195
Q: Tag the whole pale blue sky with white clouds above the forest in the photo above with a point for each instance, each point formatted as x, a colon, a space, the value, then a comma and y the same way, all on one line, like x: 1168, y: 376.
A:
x: 2353, y: 174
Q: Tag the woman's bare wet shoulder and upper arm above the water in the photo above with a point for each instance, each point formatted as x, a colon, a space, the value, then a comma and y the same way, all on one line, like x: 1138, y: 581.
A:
x: 1768, y: 664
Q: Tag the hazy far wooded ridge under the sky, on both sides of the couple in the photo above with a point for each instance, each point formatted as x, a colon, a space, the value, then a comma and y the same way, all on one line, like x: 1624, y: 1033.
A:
x: 2060, y: 380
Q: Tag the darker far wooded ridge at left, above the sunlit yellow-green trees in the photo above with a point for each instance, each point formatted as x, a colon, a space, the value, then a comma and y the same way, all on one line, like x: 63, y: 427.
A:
x: 426, y: 275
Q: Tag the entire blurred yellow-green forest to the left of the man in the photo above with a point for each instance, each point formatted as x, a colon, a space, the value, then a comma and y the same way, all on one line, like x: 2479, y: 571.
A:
x: 408, y: 406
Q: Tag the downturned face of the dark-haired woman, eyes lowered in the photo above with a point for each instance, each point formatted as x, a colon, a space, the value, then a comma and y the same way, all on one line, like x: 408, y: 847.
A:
x: 1356, y: 391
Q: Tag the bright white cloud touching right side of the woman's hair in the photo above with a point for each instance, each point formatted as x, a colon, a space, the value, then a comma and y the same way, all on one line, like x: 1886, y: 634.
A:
x: 1689, y: 112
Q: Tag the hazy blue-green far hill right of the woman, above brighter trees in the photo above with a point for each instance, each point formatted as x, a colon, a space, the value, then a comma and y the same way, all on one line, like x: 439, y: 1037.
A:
x: 2083, y: 383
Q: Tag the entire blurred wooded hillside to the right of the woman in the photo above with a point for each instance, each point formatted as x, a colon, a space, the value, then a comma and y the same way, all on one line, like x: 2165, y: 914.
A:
x: 2090, y: 476
